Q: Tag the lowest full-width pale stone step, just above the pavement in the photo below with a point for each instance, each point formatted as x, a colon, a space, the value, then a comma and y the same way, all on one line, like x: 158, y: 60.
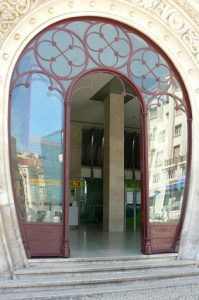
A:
x: 79, y: 279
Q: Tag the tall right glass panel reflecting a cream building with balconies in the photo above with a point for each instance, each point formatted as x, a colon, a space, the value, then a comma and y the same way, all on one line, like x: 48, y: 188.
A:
x: 167, y: 160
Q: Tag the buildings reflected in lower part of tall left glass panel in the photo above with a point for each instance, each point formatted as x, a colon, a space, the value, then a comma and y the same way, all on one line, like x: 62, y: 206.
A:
x: 38, y: 180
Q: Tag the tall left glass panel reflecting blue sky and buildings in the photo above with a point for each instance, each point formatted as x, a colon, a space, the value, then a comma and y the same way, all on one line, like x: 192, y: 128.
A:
x: 37, y: 150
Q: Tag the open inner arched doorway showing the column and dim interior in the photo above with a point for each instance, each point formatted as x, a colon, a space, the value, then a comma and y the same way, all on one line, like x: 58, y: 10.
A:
x: 105, y: 186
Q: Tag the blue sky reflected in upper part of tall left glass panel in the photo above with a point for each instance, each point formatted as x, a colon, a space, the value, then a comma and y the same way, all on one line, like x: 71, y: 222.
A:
x: 36, y: 112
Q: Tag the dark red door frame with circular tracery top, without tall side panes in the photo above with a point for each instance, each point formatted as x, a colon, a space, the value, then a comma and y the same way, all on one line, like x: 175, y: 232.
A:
x: 132, y: 66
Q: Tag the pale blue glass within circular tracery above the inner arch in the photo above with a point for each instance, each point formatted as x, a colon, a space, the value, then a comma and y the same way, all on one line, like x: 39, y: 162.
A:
x: 64, y: 39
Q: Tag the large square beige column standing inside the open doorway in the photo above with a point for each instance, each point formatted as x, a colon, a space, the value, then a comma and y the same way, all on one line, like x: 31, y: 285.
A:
x: 113, y: 181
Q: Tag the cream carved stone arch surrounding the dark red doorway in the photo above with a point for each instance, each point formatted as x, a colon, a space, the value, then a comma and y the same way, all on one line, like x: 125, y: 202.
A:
x: 164, y: 22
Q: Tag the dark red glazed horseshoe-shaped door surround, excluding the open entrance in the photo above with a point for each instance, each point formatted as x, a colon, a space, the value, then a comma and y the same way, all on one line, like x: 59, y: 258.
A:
x: 49, y: 67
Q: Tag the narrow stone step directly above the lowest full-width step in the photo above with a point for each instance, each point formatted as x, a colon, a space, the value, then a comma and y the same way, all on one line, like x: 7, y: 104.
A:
x: 72, y: 269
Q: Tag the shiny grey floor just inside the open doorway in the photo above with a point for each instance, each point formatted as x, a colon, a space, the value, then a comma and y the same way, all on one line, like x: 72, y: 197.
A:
x: 91, y: 241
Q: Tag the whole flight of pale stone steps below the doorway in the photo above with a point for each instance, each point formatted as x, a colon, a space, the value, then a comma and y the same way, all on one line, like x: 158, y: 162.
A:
x: 98, y: 277
